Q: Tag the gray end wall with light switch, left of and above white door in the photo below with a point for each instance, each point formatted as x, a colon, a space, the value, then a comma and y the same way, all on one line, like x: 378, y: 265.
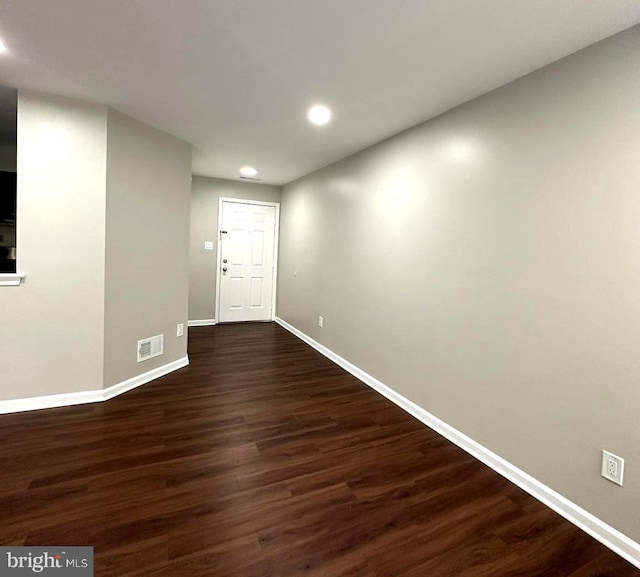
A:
x: 204, y: 227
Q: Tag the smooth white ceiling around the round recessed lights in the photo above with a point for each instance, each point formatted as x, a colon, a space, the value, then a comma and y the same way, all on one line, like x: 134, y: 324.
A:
x: 234, y: 77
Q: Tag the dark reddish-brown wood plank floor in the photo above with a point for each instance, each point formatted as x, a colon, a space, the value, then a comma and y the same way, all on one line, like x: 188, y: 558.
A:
x: 263, y: 459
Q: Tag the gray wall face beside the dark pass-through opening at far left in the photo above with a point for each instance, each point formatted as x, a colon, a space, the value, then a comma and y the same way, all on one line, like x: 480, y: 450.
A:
x: 52, y: 328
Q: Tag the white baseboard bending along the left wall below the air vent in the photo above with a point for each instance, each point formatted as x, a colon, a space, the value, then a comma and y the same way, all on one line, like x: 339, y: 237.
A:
x: 83, y: 397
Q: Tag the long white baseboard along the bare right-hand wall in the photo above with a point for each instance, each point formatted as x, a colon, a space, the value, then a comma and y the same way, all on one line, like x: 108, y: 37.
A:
x: 598, y: 529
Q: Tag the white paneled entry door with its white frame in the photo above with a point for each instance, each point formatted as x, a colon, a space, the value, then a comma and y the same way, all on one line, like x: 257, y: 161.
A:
x: 247, y: 249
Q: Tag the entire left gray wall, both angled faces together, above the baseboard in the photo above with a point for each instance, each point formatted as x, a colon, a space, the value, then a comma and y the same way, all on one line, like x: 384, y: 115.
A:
x: 103, y: 228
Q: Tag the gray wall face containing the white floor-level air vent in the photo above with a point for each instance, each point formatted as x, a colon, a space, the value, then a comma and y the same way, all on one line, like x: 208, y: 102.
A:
x: 147, y: 244
